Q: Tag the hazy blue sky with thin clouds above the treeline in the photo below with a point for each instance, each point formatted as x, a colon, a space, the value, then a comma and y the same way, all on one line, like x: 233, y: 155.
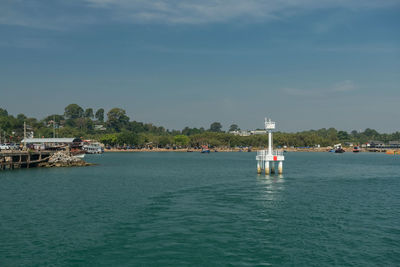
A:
x: 307, y: 64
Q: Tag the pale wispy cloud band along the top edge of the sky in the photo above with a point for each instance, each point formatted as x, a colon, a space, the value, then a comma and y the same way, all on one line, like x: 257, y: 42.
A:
x: 211, y: 11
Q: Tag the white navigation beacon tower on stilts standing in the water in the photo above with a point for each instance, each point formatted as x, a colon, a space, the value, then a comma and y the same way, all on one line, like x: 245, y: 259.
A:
x: 266, y: 158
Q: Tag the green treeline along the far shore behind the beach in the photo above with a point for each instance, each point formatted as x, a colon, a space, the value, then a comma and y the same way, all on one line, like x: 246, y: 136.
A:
x: 115, y: 128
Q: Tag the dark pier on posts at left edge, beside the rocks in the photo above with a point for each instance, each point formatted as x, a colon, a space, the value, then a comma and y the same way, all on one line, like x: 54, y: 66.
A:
x: 15, y: 159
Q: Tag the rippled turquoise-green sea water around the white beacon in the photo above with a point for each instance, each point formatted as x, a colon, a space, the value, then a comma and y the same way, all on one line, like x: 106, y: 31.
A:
x: 192, y: 209
